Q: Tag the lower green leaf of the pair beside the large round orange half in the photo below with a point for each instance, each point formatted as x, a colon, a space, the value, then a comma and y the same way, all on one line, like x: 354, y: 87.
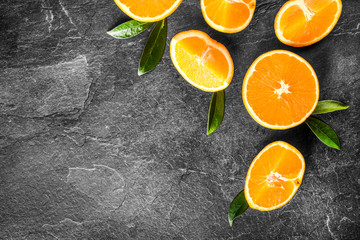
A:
x: 323, y: 132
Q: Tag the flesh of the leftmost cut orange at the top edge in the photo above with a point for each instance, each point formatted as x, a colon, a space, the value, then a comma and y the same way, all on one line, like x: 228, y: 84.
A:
x: 148, y: 8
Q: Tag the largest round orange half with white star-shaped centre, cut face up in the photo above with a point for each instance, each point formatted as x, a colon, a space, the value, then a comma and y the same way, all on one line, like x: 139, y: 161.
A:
x: 280, y: 90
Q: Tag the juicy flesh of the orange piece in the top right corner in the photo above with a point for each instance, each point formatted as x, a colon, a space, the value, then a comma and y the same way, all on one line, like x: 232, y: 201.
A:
x: 302, y: 26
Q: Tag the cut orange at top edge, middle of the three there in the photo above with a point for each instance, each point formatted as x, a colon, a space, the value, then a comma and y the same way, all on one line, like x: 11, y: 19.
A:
x: 228, y: 16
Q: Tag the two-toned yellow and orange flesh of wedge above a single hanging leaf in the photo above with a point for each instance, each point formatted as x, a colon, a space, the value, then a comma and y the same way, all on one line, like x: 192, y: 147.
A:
x: 201, y: 62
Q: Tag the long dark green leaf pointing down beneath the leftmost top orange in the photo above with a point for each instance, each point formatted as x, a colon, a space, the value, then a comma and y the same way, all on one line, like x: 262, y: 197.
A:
x: 154, y: 48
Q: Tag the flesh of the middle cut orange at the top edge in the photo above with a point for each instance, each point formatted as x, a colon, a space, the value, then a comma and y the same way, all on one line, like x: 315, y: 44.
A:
x: 229, y: 13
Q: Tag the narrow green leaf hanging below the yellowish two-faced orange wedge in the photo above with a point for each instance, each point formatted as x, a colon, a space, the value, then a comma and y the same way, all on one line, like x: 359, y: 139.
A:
x: 216, y: 111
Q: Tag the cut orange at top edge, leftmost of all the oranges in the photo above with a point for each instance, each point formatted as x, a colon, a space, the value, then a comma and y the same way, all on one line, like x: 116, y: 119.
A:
x: 148, y: 10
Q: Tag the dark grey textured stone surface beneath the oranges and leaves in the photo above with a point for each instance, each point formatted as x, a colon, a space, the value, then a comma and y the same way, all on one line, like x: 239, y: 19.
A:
x: 89, y: 150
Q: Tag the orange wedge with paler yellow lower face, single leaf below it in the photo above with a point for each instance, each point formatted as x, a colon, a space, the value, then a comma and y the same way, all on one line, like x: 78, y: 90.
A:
x: 202, y: 61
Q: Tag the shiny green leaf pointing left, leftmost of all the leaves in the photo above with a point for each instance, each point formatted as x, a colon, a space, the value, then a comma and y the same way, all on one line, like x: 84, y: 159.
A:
x: 129, y: 29
